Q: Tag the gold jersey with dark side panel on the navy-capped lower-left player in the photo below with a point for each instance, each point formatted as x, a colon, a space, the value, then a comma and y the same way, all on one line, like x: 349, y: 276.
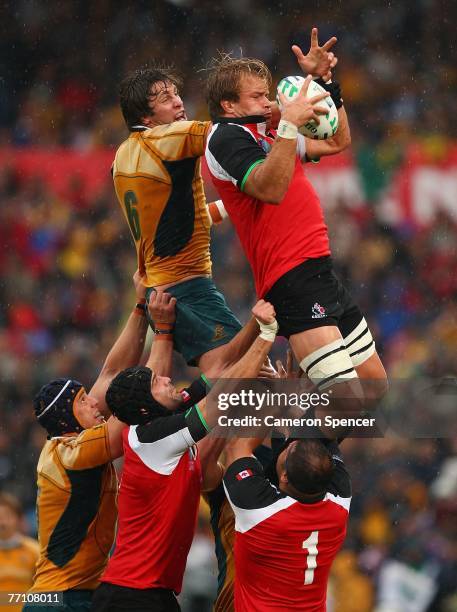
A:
x: 77, y: 512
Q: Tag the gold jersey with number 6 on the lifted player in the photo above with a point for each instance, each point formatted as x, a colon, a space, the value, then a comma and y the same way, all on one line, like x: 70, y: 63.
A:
x: 159, y: 186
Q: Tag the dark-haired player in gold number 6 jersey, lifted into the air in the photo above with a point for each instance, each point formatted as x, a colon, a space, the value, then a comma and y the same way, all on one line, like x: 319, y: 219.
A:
x: 159, y: 186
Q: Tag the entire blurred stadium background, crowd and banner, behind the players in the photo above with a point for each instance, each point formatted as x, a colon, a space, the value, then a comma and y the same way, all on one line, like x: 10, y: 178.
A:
x: 66, y: 257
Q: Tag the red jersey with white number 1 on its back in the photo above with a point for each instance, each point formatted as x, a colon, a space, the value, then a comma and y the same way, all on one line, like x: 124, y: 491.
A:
x: 283, y: 548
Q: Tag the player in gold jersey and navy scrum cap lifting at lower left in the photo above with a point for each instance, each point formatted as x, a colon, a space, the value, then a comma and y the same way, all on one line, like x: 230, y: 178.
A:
x: 77, y: 484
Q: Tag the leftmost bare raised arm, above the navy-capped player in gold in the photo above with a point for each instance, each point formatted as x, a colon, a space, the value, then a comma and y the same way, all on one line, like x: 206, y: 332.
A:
x: 127, y: 349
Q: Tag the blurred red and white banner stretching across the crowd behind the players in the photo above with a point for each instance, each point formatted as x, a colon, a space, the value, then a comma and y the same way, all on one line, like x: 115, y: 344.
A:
x: 422, y: 187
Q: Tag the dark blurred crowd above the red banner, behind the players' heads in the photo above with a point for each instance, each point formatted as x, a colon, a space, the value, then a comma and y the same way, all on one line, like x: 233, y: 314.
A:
x: 61, y: 63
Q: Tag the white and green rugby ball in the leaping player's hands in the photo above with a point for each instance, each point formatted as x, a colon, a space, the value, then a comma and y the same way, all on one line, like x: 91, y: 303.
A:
x: 290, y: 87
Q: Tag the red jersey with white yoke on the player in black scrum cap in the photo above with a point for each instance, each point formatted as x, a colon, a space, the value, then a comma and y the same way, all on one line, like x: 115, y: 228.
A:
x: 158, y: 502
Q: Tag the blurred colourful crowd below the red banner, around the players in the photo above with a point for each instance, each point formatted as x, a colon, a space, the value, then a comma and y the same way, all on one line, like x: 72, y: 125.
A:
x: 66, y: 288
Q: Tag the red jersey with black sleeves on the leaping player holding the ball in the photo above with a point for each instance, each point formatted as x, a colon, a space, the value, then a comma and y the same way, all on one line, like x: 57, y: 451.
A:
x: 275, y: 238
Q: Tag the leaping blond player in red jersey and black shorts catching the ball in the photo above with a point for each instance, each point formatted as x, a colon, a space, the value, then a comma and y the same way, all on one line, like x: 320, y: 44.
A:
x: 278, y: 217
